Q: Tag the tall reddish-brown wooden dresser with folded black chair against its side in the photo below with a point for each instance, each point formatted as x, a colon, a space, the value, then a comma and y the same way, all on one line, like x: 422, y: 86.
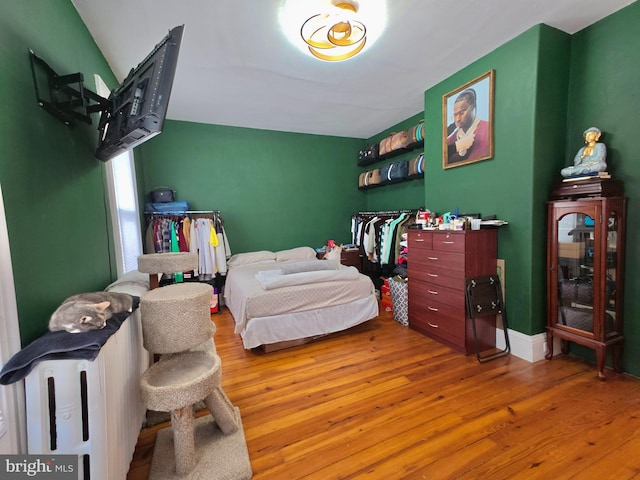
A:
x: 438, y: 263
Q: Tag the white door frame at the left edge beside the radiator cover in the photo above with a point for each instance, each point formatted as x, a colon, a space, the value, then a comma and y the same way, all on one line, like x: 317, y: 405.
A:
x: 13, y: 436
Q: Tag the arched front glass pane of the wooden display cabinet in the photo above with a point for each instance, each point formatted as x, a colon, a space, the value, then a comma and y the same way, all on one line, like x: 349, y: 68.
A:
x: 575, y: 253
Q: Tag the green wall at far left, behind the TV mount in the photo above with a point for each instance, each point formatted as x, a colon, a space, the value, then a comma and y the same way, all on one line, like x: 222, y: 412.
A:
x: 53, y: 186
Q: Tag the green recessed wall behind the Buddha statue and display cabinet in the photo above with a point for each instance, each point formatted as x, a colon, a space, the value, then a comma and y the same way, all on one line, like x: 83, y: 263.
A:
x: 604, y: 92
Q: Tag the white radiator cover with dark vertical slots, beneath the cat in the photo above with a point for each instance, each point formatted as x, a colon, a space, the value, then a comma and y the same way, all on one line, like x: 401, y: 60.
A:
x: 91, y: 408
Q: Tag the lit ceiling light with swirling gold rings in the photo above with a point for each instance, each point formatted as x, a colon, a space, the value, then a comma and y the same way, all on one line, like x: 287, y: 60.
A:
x: 335, y: 35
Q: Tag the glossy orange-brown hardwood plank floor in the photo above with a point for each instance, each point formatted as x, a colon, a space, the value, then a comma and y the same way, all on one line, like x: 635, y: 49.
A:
x: 385, y: 402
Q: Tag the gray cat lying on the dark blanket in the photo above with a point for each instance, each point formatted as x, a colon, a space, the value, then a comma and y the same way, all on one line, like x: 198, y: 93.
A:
x: 89, y: 311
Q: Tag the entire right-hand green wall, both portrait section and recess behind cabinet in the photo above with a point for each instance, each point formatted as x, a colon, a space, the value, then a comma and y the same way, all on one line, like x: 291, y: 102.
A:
x: 550, y: 87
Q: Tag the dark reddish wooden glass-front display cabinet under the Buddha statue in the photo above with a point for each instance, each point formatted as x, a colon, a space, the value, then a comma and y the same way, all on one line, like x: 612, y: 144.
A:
x: 585, y: 275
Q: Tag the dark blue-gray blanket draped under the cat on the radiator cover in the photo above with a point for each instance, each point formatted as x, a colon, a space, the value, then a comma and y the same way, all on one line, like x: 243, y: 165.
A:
x: 59, y: 345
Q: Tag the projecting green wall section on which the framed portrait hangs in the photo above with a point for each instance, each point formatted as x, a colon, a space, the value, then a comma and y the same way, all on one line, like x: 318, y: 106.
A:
x: 529, y: 117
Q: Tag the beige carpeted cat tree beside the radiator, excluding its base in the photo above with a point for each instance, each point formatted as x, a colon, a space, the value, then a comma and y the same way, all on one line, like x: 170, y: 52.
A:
x: 176, y: 322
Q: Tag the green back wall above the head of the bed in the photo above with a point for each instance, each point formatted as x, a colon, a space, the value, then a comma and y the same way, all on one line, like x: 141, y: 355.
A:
x: 276, y: 190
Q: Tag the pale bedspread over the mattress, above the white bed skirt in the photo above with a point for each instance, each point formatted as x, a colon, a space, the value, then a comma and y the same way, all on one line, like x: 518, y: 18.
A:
x: 246, y: 298
